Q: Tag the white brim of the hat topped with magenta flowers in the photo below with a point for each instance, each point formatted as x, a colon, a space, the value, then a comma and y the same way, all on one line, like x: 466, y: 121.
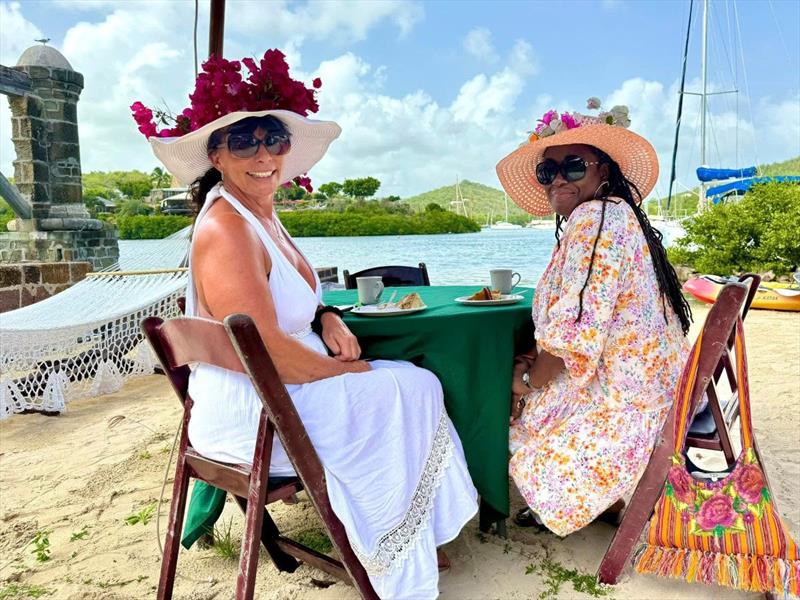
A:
x: 186, y: 157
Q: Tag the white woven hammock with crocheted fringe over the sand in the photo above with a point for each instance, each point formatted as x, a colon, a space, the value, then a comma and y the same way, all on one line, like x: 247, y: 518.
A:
x: 86, y: 340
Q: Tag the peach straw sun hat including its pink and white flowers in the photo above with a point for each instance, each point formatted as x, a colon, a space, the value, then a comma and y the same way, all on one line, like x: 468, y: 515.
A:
x: 607, y: 131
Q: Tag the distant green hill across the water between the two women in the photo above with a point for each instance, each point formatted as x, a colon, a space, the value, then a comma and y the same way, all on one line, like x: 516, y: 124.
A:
x: 482, y: 201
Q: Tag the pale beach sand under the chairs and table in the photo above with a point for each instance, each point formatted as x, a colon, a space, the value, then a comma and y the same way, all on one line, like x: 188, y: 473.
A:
x: 86, y: 471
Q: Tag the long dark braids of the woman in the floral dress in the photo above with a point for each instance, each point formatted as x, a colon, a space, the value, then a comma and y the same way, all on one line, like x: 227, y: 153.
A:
x: 668, y: 285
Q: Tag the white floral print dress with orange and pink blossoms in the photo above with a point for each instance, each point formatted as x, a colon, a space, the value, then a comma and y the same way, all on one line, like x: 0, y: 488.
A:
x: 584, y: 439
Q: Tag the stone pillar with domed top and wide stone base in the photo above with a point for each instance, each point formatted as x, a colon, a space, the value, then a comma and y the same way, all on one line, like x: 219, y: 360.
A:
x: 55, y: 225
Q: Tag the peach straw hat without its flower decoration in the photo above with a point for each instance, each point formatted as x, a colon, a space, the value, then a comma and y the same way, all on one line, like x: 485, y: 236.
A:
x: 635, y: 156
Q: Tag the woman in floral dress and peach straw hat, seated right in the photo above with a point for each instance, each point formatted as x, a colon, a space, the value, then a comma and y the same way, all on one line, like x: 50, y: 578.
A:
x: 610, y: 321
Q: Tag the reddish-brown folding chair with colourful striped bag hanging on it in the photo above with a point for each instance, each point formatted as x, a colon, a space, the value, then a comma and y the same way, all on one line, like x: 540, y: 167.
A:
x: 717, y: 331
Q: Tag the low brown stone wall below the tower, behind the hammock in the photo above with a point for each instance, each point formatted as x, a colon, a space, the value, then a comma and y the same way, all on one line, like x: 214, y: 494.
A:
x: 22, y: 284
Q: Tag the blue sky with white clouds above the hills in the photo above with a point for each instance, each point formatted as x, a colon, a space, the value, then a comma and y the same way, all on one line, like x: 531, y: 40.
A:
x: 427, y: 92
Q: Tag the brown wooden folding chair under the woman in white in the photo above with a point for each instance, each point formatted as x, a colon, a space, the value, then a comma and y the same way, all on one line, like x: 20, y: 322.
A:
x: 236, y: 345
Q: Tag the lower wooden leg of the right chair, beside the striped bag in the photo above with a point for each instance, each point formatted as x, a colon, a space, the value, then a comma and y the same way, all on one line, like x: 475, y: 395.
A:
x: 638, y: 511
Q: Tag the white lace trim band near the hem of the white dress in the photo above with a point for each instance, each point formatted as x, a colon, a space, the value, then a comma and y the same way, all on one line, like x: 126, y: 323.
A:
x: 394, y: 546
